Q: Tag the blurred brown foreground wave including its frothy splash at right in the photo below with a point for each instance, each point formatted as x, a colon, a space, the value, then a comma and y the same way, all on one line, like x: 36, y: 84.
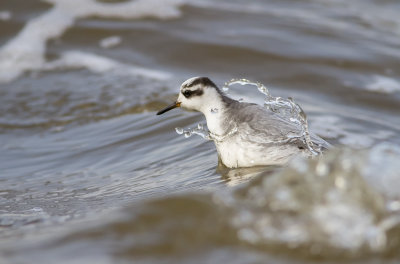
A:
x: 343, y: 205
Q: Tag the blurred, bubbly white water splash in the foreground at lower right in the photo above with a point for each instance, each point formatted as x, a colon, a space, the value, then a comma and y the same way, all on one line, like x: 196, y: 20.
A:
x: 314, y: 201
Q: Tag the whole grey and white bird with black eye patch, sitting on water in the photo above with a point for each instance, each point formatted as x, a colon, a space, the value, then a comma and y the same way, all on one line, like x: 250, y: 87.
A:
x: 245, y: 134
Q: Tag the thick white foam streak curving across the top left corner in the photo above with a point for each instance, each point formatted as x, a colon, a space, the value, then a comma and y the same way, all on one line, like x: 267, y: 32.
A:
x: 26, y: 51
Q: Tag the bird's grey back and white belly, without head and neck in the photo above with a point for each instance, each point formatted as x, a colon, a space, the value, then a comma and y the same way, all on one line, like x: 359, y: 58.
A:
x: 264, y: 136
